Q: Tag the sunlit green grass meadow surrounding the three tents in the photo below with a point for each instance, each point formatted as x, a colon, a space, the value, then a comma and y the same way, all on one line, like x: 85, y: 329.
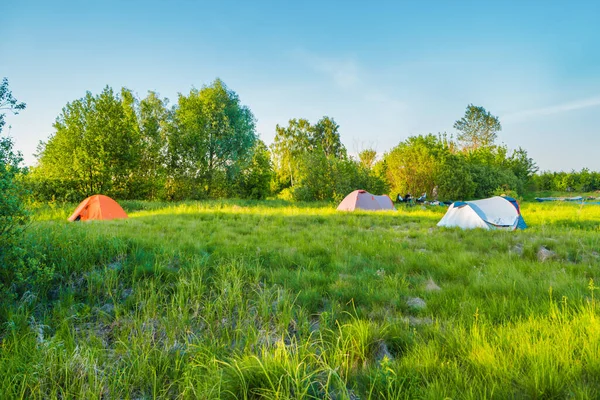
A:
x: 249, y: 300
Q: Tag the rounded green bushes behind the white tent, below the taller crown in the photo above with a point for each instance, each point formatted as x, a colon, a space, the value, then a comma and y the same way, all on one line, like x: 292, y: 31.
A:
x: 421, y: 163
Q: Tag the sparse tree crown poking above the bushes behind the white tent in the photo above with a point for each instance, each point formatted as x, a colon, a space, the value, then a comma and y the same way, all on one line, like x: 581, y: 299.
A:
x: 478, y: 128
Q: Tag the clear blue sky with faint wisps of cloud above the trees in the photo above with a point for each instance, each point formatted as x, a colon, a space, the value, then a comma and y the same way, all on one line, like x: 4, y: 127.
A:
x: 384, y: 71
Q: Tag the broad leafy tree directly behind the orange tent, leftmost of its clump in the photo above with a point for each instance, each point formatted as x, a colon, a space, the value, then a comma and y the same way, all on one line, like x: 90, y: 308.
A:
x: 95, y: 146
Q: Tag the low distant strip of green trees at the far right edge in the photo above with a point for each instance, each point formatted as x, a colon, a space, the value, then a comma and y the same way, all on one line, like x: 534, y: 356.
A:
x: 582, y: 181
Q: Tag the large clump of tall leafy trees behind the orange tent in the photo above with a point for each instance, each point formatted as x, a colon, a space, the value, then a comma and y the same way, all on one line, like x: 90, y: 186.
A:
x: 113, y: 143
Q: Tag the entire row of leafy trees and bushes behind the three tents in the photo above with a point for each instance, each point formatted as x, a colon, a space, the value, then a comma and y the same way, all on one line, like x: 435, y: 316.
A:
x: 206, y: 146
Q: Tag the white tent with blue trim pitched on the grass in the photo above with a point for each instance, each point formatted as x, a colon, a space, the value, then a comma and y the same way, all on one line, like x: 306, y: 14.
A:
x: 493, y: 213
